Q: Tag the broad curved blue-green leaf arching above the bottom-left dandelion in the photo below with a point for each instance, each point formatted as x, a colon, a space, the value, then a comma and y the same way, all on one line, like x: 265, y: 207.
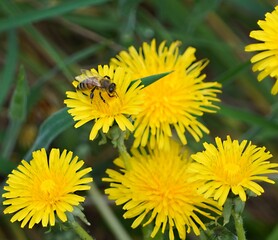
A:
x: 50, y: 129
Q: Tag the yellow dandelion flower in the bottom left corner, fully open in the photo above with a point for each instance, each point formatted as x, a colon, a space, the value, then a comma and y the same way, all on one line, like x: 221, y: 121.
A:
x: 38, y: 190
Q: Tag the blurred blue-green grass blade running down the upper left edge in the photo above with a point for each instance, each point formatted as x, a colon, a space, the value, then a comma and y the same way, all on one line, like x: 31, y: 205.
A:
x: 10, y: 65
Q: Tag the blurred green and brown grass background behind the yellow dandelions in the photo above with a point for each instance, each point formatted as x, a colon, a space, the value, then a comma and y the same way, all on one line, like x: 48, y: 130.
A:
x: 44, y: 44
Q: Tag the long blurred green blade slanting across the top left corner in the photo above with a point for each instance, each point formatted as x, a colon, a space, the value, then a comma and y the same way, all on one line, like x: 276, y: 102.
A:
x: 37, y: 15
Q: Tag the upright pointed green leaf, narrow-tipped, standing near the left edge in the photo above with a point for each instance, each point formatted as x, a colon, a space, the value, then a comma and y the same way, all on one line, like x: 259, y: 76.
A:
x: 18, y: 106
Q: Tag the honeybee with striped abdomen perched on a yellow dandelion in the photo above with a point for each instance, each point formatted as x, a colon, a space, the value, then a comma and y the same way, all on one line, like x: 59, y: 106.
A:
x: 97, y: 82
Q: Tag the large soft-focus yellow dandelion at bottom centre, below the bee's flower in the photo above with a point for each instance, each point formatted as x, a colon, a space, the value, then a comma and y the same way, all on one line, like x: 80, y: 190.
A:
x: 157, y: 186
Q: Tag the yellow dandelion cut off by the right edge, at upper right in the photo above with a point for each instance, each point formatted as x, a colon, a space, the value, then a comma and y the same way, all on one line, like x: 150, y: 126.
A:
x: 266, y: 61
